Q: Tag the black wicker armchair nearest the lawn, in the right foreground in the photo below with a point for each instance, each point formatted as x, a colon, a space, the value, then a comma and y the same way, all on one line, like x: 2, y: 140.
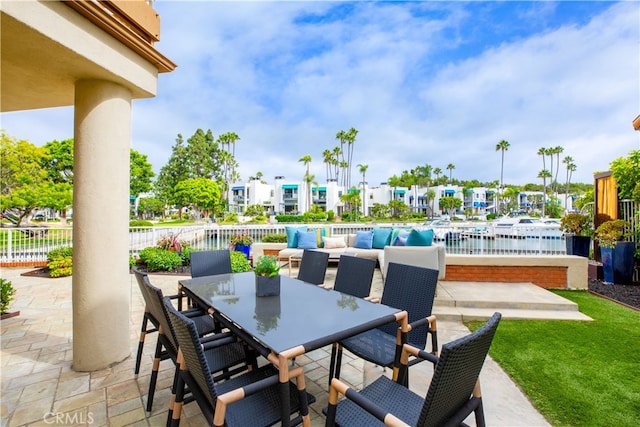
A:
x: 453, y: 394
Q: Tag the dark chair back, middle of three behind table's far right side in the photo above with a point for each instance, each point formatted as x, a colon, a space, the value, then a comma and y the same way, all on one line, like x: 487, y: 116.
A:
x: 354, y: 276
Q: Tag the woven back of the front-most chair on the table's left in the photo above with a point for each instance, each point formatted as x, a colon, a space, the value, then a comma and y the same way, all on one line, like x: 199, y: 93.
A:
x: 194, y: 358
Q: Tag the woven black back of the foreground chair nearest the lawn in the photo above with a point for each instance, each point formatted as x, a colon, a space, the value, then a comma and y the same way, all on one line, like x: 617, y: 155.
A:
x: 455, y: 375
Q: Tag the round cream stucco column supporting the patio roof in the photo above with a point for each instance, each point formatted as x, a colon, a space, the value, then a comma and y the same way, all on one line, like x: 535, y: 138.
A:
x: 101, y: 282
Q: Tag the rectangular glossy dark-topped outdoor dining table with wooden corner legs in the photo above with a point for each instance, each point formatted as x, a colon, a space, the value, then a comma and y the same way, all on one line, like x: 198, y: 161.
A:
x: 304, y: 317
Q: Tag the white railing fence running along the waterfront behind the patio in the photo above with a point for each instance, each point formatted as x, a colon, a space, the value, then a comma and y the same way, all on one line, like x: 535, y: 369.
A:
x: 33, y: 244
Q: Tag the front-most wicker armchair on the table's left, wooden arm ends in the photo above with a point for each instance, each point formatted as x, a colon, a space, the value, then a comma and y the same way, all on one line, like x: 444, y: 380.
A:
x: 252, y: 398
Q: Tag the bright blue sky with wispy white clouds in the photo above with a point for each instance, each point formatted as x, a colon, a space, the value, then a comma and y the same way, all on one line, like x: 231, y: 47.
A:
x: 423, y: 82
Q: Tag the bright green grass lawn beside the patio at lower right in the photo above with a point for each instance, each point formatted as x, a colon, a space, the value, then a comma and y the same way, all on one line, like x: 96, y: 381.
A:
x: 576, y: 373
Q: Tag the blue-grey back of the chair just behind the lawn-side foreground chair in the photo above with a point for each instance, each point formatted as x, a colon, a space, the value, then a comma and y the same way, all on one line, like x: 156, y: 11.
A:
x: 410, y: 288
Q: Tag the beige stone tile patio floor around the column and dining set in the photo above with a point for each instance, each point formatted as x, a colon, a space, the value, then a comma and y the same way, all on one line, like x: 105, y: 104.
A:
x: 40, y: 388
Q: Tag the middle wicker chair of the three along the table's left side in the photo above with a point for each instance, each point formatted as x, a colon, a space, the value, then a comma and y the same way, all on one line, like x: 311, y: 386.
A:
x: 224, y: 353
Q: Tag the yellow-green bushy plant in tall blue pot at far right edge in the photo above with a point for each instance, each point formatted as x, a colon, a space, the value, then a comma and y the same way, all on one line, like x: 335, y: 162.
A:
x: 617, y: 256
